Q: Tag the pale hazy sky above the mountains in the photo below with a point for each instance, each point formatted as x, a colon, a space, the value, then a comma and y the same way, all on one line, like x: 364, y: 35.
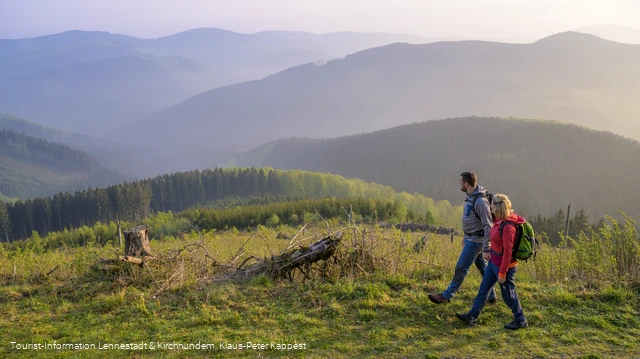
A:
x: 521, y: 20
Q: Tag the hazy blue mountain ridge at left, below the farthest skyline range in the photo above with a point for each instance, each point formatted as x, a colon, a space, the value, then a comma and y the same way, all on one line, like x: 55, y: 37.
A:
x: 91, y: 97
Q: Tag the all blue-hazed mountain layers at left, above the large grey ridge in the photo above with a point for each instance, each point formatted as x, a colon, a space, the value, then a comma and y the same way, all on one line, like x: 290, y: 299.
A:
x: 95, y: 82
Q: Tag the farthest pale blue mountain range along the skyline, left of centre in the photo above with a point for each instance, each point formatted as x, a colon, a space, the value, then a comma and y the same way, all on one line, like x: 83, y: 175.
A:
x: 246, y: 55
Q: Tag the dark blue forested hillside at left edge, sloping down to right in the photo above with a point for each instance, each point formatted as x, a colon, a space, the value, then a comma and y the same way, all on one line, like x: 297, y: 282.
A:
x: 33, y: 166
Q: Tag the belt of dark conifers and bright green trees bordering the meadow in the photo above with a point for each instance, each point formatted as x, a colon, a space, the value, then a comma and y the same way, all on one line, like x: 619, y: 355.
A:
x: 179, y: 191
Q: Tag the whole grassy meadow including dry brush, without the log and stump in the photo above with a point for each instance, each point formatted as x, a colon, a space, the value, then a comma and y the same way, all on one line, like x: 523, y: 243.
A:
x: 368, y: 301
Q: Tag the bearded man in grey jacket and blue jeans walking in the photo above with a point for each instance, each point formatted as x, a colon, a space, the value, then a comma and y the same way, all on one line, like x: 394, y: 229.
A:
x: 476, y: 224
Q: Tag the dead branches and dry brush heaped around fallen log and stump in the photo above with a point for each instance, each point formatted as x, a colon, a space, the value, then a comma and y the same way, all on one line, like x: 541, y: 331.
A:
x: 329, y: 257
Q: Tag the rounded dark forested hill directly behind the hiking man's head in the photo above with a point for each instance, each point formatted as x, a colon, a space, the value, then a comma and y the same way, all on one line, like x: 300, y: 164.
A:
x: 541, y: 165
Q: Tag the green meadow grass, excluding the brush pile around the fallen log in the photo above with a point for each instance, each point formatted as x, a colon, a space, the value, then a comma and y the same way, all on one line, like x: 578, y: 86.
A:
x: 384, y: 313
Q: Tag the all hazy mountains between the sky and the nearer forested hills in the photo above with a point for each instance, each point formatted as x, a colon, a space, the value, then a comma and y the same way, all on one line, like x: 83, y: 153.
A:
x: 97, y: 82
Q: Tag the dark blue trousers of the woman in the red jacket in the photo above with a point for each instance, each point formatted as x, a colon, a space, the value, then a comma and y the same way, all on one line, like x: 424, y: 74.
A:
x: 508, y: 290
